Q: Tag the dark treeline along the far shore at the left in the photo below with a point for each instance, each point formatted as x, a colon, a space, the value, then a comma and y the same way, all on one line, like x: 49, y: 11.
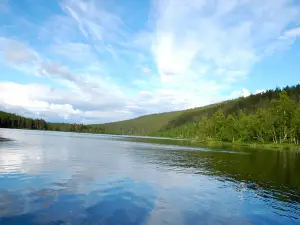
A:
x: 10, y: 120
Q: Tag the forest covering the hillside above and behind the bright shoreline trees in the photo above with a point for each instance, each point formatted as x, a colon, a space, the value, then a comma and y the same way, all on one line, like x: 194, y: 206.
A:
x: 183, y: 123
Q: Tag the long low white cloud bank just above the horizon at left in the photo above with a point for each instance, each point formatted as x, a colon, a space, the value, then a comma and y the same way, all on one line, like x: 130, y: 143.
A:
x: 74, y: 104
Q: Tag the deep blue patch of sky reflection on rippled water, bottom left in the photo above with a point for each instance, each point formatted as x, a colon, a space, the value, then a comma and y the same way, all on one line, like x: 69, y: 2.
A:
x: 111, y: 205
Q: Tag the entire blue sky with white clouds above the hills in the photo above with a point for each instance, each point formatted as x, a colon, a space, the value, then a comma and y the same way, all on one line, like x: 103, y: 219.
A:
x: 94, y: 61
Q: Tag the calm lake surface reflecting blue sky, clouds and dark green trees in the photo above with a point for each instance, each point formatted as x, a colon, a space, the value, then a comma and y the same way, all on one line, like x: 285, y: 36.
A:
x: 68, y: 178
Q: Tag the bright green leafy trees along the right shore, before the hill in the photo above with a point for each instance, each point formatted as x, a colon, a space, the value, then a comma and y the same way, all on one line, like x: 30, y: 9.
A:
x: 278, y: 122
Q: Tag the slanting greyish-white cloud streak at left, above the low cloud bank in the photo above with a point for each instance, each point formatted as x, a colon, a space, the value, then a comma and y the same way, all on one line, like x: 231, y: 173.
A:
x: 37, y: 65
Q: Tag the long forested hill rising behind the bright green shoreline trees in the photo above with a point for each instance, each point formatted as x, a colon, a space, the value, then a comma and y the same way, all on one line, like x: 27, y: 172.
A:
x: 157, y: 123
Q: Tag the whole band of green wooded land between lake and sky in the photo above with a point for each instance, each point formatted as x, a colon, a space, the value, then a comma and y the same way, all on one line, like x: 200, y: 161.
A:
x: 270, y: 119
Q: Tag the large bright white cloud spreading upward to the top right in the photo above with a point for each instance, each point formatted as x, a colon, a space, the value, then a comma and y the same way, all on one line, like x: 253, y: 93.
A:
x: 231, y: 35
